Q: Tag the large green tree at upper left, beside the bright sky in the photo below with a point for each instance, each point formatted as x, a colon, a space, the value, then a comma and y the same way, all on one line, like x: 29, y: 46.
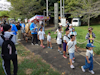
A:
x: 25, y: 8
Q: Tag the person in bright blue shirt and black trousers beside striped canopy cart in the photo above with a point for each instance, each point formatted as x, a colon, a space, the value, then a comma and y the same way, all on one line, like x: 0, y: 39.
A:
x: 34, y: 30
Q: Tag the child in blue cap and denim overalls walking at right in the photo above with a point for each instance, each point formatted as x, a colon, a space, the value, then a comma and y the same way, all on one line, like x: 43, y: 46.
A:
x: 89, y: 59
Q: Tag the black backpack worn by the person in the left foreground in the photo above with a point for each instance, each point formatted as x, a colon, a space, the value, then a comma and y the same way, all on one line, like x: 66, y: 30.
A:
x: 8, y: 49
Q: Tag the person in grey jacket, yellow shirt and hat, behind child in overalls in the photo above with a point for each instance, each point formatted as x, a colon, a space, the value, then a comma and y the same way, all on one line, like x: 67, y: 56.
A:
x: 90, y: 35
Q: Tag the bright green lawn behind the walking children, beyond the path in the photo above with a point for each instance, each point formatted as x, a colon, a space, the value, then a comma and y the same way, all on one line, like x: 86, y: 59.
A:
x: 82, y: 31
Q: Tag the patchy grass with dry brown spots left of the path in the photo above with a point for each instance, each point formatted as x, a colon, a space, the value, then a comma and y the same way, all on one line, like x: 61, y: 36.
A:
x: 30, y: 64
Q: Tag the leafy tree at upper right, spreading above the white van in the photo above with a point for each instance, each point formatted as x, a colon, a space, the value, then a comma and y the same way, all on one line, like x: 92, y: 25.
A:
x: 86, y: 8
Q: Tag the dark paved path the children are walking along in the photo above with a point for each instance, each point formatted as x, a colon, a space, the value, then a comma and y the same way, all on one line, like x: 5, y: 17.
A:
x: 57, y: 61
